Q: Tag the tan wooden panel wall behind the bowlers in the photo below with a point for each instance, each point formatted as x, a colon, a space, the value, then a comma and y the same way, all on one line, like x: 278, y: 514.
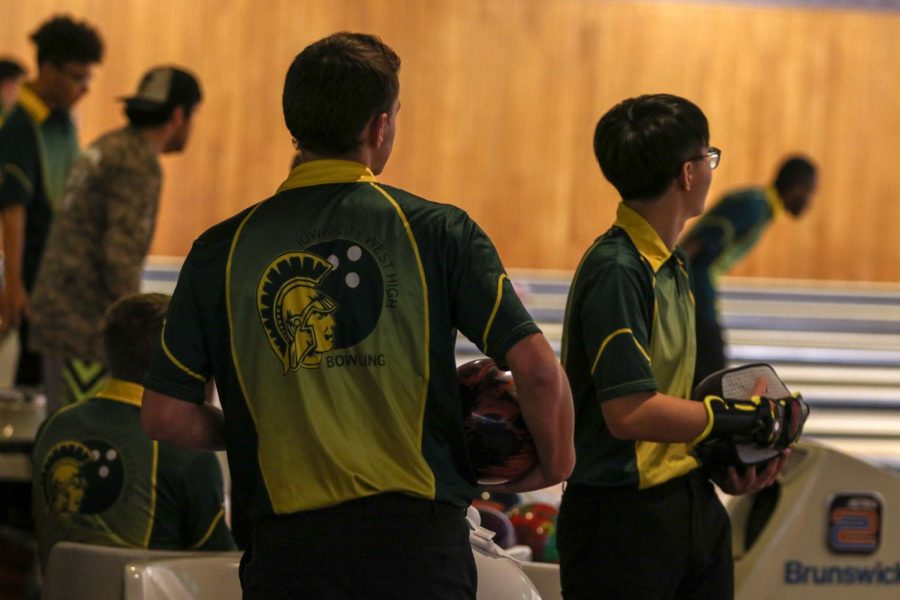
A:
x: 500, y: 98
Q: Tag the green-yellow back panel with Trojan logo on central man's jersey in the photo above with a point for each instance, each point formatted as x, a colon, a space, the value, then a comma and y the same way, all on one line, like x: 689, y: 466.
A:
x: 340, y: 344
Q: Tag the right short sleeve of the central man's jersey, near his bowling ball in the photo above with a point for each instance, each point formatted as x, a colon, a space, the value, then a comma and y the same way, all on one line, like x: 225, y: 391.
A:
x: 486, y: 307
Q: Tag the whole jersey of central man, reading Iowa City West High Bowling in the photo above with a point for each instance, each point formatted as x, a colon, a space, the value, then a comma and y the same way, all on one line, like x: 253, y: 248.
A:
x: 328, y: 316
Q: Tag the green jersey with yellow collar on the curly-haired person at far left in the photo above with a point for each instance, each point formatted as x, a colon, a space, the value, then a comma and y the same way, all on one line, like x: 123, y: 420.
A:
x: 37, y: 147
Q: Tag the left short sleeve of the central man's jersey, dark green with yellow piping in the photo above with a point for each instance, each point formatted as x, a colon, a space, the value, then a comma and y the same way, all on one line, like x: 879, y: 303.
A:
x: 180, y: 366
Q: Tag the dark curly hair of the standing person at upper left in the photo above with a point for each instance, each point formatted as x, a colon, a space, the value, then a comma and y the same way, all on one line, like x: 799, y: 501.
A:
x: 62, y: 40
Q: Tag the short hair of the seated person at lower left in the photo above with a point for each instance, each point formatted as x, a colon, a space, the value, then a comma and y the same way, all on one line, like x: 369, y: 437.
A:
x: 131, y: 332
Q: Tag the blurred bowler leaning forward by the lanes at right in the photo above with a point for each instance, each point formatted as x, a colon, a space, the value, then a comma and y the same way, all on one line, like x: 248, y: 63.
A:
x: 727, y: 232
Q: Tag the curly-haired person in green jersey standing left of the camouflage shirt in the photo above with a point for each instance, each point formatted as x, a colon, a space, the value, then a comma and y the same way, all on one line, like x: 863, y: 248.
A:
x: 38, y: 144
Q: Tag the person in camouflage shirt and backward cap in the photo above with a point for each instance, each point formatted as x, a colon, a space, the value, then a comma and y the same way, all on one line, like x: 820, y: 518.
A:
x: 102, y: 230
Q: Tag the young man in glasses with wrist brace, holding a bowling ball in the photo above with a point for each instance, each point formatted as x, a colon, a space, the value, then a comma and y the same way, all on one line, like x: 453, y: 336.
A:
x: 638, y: 518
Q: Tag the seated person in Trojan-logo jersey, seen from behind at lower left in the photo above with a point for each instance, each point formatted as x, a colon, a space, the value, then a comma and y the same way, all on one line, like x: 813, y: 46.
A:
x: 99, y: 479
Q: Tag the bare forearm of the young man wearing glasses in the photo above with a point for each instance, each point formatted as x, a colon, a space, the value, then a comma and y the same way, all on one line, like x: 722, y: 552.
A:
x: 654, y: 417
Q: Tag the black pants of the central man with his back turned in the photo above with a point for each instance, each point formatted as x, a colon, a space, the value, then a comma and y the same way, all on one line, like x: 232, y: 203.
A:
x: 389, y: 546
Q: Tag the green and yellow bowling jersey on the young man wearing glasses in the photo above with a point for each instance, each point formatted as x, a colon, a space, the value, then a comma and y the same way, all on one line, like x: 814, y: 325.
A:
x: 629, y: 327
